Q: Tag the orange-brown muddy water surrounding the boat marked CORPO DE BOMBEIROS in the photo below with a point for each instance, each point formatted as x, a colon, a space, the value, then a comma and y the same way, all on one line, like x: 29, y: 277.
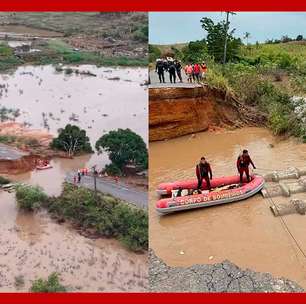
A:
x: 245, y: 232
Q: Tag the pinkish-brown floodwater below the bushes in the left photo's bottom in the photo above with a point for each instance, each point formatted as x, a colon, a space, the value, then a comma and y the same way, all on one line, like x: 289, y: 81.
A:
x: 33, y: 246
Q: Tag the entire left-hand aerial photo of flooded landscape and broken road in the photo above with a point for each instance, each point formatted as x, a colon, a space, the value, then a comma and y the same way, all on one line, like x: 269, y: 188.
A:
x: 74, y: 216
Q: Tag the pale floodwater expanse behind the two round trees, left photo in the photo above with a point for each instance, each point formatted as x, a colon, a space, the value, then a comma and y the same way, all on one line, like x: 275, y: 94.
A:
x: 96, y: 104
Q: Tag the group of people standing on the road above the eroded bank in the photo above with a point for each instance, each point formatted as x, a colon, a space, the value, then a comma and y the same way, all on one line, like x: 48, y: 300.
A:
x: 194, y: 72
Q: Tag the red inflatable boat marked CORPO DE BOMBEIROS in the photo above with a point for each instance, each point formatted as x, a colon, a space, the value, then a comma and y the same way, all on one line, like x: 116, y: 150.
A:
x: 224, y: 190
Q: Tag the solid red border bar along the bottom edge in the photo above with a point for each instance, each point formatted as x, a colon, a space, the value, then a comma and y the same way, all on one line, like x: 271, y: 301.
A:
x: 160, y: 298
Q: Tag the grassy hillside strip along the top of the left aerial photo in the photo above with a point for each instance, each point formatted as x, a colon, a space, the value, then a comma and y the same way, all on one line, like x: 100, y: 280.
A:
x: 123, y: 26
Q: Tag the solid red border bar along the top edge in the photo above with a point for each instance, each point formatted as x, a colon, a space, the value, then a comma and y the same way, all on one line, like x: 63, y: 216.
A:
x: 152, y: 5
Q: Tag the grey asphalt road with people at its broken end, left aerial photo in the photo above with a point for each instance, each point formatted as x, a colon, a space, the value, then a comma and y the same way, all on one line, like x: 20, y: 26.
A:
x: 118, y: 190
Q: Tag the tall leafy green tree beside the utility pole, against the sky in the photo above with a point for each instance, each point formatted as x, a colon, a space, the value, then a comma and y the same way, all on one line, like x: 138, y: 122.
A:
x: 216, y: 35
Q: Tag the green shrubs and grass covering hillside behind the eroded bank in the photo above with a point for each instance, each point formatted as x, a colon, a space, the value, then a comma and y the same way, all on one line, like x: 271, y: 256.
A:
x: 270, y: 77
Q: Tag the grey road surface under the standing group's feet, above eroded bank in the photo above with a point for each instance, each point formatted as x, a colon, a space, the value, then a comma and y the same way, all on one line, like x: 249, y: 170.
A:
x: 154, y: 81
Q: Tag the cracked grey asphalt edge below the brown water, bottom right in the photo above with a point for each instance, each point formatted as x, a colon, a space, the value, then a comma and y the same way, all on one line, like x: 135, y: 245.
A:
x: 219, y: 277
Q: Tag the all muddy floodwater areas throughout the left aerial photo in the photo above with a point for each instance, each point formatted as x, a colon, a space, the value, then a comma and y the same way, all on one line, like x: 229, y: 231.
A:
x: 33, y: 245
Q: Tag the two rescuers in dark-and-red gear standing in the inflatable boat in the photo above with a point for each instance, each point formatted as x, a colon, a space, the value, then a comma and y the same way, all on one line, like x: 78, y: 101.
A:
x: 204, y: 171
